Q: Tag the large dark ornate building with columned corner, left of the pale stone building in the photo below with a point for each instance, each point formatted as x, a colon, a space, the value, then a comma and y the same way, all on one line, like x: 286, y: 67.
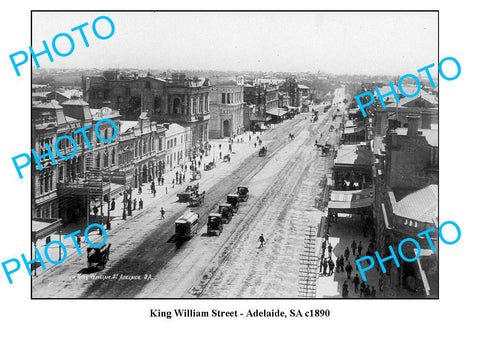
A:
x: 180, y: 100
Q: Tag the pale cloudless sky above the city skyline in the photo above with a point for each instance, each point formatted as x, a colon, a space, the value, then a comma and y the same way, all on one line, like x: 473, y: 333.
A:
x: 390, y: 43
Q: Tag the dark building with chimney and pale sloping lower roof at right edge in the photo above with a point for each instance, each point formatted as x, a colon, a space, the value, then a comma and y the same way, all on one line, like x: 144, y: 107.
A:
x: 406, y: 202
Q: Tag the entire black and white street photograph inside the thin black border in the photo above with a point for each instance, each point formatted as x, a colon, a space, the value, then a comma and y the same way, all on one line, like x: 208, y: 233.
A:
x: 230, y: 158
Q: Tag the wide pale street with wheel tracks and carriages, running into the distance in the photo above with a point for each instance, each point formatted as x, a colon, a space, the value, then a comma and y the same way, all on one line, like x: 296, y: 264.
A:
x: 145, y: 260
